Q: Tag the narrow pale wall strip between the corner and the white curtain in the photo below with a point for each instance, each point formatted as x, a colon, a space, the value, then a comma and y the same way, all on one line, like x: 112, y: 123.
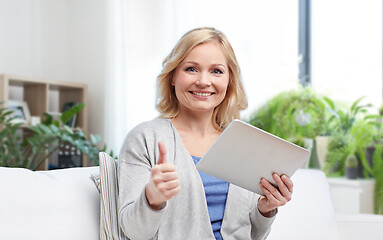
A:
x: 86, y: 55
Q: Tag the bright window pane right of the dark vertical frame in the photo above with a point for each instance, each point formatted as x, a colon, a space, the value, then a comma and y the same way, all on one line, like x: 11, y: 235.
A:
x: 346, y: 49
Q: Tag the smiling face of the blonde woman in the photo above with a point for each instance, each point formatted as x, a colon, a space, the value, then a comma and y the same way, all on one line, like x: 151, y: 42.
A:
x: 201, y: 79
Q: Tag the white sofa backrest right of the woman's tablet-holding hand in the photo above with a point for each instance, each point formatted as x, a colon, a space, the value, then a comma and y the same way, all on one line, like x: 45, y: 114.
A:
x: 310, y: 213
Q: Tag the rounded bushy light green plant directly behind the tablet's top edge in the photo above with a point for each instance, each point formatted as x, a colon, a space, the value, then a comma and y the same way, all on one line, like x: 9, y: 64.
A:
x: 292, y: 115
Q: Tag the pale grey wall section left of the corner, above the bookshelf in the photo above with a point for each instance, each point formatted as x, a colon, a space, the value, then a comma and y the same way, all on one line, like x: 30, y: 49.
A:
x: 34, y: 38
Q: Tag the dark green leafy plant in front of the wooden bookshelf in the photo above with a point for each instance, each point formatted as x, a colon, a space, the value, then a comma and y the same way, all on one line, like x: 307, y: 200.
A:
x: 32, y: 149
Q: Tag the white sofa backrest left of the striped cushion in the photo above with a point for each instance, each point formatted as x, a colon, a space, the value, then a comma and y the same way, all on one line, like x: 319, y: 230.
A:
x: 54, y: 205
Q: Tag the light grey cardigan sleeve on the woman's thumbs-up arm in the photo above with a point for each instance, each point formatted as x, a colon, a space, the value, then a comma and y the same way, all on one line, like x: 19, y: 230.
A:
x: 137, y: 219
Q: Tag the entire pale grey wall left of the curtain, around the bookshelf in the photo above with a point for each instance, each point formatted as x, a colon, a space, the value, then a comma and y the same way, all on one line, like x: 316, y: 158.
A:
x: 61, y: 40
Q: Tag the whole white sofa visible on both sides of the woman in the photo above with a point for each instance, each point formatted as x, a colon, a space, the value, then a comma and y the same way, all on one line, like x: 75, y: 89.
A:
x: 65, y: 204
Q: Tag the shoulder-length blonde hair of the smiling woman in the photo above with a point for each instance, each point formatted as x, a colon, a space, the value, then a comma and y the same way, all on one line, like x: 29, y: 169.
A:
x: 235, y: 99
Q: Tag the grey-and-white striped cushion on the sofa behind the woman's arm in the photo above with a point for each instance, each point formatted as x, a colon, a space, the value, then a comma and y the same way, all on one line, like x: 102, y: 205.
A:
x: 109, y: 225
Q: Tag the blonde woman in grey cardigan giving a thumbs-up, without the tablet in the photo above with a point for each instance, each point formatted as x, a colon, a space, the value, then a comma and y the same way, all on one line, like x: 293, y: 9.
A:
x: 162, y: 195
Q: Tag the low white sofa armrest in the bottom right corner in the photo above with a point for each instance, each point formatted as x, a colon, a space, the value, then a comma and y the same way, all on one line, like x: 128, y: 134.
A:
x: 359, y: 226
